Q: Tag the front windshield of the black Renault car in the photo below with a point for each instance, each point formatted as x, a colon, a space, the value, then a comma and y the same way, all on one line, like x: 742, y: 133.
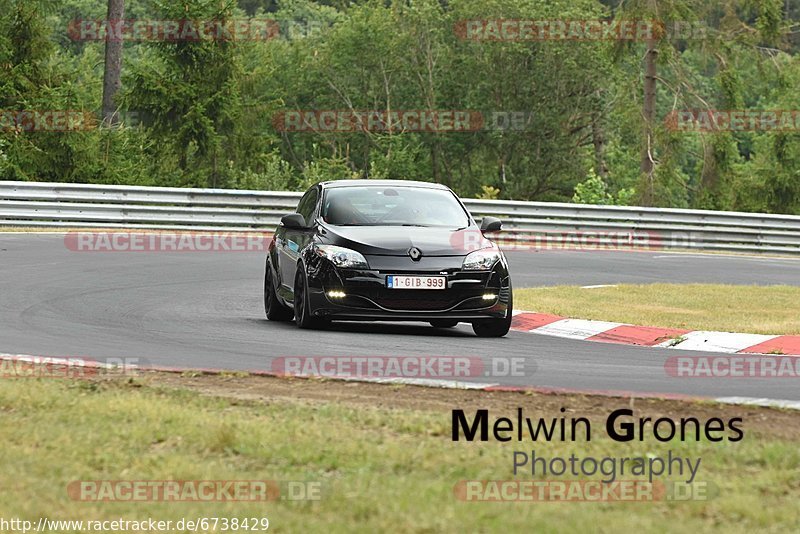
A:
x: 393, y: 206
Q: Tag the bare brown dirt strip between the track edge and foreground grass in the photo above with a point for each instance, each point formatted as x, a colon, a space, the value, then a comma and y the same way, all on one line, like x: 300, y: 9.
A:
x: 768, y: 422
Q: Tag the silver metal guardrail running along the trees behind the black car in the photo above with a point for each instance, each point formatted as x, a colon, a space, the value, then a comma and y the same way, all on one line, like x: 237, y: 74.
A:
x: 526, y: 224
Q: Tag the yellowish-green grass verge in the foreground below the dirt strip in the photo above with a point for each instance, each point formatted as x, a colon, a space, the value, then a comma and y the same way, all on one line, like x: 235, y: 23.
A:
x: 382, y: 470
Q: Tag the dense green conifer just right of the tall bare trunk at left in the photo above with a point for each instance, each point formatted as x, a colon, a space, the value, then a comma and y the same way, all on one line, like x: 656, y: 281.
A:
x: 188, y: 94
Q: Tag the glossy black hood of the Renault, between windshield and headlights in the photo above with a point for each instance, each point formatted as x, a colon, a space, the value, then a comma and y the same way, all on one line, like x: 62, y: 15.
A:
x: 397, y: 240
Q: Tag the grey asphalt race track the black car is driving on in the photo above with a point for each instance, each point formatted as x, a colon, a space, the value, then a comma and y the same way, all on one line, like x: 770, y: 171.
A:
x: 205, y: 310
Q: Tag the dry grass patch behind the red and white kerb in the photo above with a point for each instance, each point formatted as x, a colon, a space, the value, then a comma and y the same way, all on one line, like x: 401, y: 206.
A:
x: 751, y: 309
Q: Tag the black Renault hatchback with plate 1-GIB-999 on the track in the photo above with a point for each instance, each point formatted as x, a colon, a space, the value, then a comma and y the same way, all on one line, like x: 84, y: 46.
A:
x: 387, y: 250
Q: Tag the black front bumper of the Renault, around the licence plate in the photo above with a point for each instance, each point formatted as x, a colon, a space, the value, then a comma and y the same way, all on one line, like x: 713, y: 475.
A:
x: 367, y: 296
